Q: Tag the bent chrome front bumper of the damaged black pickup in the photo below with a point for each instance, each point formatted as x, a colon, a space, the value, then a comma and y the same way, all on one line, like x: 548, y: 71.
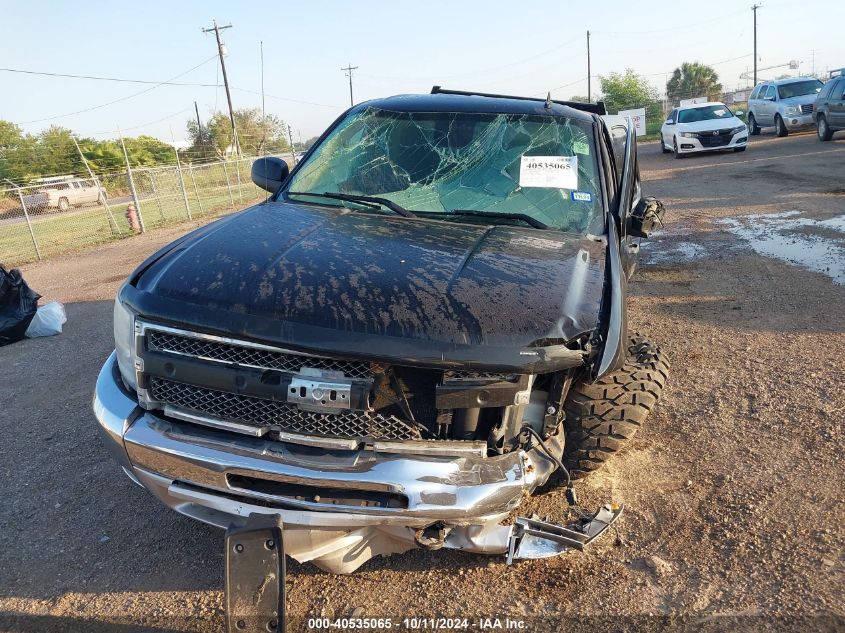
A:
x: 196, y: 471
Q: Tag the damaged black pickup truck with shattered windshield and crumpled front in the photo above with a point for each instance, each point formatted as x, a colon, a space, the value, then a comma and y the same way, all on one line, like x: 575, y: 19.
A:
x: 424, y: 321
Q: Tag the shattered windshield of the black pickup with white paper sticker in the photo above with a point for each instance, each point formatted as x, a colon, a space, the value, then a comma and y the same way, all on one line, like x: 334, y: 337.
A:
x: 434, y: 163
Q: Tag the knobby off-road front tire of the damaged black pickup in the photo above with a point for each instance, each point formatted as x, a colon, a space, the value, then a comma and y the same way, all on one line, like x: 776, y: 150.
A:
x: 602, y: 416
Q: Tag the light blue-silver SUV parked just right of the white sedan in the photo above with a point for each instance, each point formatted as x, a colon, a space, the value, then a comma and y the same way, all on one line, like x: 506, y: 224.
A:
x: 786, y: 104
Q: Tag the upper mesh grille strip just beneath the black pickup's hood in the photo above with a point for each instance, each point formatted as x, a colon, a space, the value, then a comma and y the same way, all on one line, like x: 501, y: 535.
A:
x: 235, y: 354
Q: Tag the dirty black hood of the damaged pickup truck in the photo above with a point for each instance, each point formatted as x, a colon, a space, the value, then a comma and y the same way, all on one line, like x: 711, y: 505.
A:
x: 360, y: 275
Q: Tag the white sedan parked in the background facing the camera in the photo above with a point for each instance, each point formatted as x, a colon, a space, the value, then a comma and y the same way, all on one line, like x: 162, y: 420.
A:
x: 703, y: 127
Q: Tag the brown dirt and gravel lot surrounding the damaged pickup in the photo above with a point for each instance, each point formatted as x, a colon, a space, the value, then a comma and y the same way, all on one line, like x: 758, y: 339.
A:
x: 733, y: 491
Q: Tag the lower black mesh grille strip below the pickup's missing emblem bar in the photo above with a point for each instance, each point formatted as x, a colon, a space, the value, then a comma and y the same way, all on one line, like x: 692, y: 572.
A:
x: 280, y: 415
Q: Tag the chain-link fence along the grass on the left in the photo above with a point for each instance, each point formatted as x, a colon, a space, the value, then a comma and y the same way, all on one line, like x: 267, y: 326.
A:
x: 68, y: 213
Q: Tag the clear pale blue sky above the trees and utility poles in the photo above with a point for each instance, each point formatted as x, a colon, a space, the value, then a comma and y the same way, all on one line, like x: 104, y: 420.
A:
x: 496, y: 46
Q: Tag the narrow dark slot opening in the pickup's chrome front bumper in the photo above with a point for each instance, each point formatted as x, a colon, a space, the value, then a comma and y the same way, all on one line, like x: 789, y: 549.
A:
x: 318, y: 494
